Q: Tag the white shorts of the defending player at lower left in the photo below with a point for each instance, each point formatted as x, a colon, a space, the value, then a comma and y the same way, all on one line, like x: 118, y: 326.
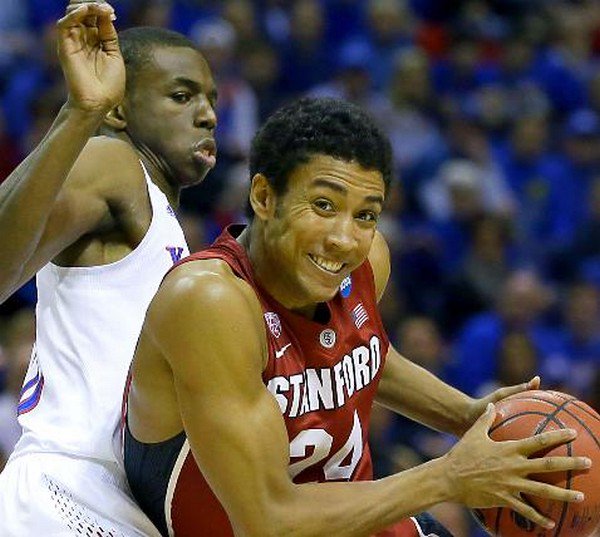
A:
x: 58, y: 496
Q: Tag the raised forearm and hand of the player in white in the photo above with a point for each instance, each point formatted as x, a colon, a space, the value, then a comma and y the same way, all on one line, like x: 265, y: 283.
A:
x: 95, y: 75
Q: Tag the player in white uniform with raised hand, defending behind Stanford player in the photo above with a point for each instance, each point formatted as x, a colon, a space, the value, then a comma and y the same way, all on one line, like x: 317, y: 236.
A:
x: 93, y: 217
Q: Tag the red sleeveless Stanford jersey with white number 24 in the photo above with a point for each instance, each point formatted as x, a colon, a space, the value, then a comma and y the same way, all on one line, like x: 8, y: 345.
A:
x: 324, y: 377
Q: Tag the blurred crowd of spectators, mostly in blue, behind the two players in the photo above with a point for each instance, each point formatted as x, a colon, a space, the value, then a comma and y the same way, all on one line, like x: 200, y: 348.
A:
x: 493, y: 111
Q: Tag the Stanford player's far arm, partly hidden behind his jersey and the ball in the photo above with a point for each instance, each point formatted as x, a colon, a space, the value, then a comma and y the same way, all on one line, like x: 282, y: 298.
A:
x: 411, y: 390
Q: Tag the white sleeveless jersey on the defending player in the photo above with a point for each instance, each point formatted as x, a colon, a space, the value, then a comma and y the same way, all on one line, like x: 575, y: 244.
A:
x: 88, y: 323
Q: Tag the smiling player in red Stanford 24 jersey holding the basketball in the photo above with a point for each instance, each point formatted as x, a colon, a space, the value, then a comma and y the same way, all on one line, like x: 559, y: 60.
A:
x: 260, y: 359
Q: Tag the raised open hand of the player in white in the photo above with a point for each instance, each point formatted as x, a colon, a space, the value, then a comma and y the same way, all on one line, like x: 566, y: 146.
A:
x: 89, y: 53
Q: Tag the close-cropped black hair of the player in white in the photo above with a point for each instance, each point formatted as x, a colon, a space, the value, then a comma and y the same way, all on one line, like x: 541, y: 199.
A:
x: 137, y: 45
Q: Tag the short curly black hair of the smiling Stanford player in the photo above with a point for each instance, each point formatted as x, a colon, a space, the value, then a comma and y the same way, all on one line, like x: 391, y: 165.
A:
x: 318, y: 126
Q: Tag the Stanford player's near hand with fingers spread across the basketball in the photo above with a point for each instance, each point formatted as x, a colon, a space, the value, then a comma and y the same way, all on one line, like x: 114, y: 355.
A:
x: 483, y: 473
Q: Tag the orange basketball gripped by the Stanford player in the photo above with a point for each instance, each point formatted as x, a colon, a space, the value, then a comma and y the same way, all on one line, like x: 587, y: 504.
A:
x: 533, y: 412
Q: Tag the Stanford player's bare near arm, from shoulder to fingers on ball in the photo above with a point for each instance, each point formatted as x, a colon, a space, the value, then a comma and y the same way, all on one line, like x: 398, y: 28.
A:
x: 208, y: 326
